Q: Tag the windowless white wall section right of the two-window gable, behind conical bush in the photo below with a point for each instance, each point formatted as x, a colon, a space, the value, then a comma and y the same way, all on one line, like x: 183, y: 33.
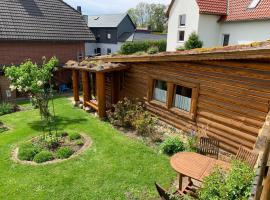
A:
x: 209, y: 30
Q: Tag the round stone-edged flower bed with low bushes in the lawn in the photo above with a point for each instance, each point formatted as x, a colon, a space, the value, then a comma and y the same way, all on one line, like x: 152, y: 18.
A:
x: 51, y: 149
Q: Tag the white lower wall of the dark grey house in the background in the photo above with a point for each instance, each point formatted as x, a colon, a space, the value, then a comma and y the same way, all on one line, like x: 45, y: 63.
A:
x: 90, y: 48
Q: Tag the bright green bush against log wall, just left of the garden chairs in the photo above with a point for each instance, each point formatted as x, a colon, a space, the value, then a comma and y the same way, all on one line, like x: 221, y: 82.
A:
x: 172, y: 145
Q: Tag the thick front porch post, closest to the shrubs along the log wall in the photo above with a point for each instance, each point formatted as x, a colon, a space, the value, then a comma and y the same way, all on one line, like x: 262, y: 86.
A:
x: 101, y: 96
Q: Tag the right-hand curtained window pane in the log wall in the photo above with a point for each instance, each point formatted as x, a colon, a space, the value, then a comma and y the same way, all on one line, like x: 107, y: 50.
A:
x: 182, y: 98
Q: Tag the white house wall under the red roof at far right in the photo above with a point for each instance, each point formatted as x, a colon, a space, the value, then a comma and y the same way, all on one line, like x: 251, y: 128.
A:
x: 245, y: 32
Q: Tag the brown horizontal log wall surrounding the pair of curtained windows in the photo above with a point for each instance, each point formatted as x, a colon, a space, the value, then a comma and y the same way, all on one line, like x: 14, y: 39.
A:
x: 233, y: 96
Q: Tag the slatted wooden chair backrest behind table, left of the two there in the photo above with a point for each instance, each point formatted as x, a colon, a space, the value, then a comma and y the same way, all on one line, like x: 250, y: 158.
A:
x: 209, y: 147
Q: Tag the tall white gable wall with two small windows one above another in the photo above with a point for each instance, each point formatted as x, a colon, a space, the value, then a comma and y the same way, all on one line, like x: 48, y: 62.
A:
x: 191, y: 9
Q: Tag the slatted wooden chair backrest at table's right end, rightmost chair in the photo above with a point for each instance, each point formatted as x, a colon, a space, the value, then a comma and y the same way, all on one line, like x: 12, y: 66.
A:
x: 247, y: 156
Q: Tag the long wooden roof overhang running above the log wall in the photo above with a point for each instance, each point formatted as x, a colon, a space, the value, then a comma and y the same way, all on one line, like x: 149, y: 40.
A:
x: 244, y: 53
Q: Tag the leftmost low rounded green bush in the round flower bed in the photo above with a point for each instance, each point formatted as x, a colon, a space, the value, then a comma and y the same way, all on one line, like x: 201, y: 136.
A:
x: 28, y: 151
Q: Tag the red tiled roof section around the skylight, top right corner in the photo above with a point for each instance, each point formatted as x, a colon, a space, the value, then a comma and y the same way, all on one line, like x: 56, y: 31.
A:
x: 238, y: 10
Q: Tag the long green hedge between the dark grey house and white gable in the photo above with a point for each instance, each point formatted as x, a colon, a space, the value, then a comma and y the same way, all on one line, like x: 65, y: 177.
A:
x: 133, y: 47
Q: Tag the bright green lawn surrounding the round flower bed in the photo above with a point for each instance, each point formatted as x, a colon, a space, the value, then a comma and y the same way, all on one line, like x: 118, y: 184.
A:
x: 115, y: 167
